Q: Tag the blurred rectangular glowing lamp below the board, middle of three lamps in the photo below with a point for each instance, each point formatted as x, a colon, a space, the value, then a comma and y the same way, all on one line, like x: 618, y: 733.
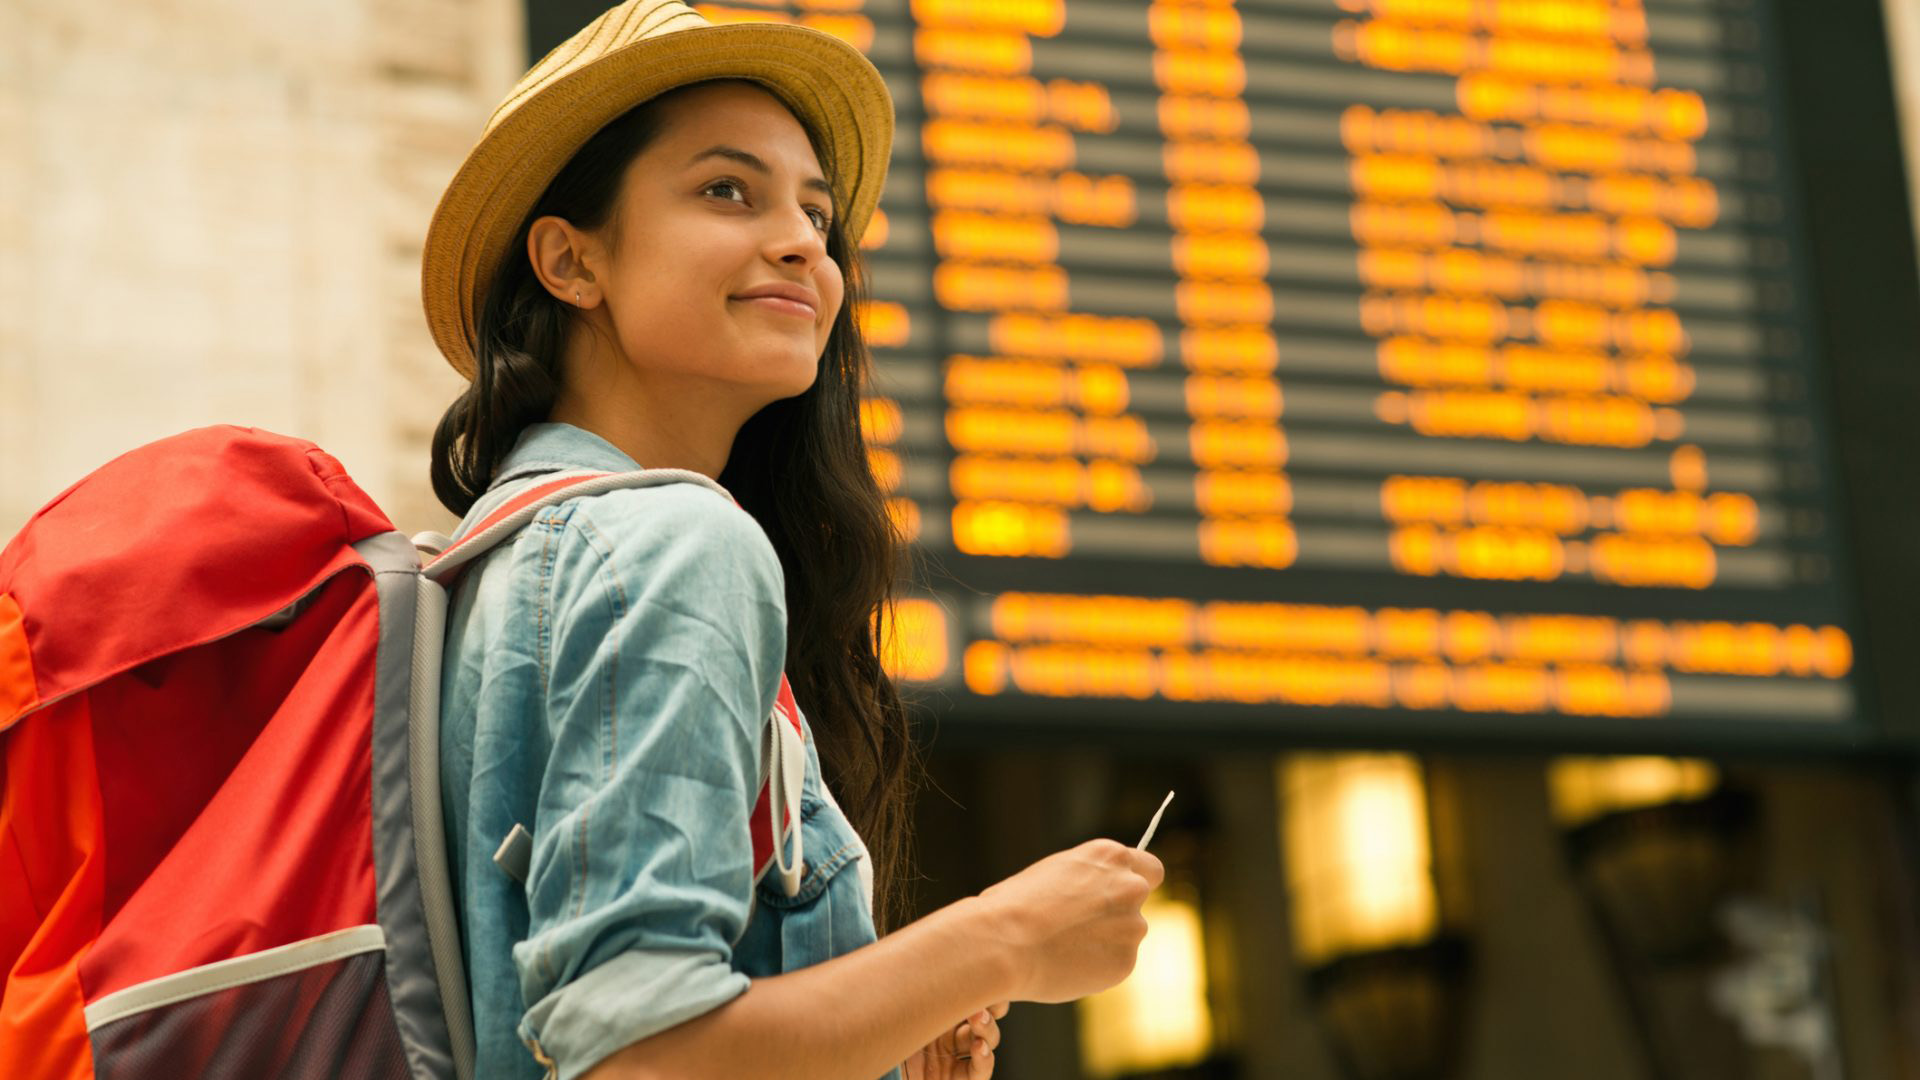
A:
x: 1358, y: 852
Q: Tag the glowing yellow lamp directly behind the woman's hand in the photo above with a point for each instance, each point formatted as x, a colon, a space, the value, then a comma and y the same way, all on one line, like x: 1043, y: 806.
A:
x: 1159, y: 1016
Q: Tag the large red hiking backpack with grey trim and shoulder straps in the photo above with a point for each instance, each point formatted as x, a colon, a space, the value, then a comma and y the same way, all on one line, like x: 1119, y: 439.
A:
x: 222, y: 850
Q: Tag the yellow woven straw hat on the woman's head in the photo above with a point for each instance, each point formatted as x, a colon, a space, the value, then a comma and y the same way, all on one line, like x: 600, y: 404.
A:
x: 635, y: 53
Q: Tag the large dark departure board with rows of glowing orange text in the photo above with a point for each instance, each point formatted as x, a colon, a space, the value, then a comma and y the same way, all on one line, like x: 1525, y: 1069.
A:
x: 1429, y: 364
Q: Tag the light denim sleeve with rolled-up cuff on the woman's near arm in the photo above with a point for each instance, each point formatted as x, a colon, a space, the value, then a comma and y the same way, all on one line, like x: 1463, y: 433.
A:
x: 663, y: 639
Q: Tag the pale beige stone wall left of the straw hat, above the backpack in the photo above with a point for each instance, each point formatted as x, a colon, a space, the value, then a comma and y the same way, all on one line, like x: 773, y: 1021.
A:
x: 212, y: 212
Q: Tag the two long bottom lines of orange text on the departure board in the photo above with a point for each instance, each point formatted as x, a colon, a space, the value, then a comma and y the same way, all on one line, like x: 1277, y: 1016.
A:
x: 1132, y: 647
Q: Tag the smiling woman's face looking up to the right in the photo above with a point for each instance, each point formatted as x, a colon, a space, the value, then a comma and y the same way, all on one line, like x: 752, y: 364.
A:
x: 721, y: 282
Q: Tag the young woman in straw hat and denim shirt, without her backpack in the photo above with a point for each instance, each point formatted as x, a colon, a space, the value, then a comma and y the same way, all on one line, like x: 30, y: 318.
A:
x: 677, y: 293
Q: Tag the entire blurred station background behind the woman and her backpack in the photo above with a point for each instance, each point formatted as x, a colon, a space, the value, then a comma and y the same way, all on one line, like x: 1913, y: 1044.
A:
x: 1462, y: 447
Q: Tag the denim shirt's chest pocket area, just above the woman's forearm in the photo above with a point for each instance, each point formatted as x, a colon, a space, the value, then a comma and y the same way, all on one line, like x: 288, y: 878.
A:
x: 828, y: 916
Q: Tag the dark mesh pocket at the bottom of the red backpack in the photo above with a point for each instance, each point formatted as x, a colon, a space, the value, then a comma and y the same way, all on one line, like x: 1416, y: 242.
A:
x: 318, y: 1023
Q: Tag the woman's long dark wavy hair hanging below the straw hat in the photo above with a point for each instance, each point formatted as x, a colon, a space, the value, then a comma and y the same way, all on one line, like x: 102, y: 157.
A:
x: 798, y: 466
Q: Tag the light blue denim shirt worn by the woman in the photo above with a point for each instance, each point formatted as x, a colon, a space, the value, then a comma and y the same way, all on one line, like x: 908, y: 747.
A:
x: 608, y: 675
